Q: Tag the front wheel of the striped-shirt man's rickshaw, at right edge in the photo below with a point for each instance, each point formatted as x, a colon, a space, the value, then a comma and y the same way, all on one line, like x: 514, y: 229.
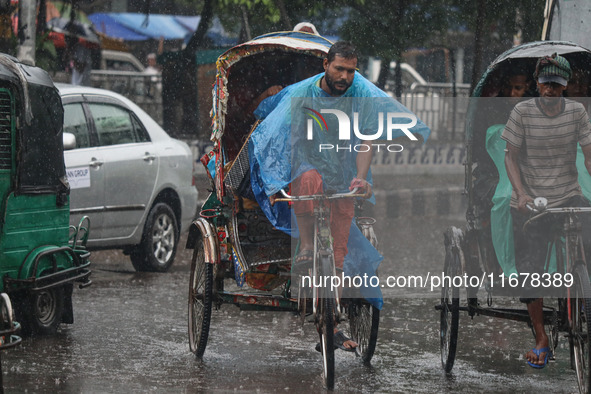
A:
x: 580, y: 308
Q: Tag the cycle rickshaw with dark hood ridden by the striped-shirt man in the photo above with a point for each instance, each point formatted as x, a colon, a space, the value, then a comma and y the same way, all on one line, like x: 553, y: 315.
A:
x: 484, y: 248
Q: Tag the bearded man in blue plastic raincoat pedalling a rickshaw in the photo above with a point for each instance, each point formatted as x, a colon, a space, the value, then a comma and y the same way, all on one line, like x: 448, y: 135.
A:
x: 296, y: 144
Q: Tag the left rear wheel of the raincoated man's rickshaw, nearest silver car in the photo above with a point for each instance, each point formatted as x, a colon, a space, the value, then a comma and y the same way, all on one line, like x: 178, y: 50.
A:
x: 200, y: 301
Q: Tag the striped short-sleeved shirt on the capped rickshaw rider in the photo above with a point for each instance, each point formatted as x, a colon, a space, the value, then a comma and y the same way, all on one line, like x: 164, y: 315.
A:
x: 548, y: 148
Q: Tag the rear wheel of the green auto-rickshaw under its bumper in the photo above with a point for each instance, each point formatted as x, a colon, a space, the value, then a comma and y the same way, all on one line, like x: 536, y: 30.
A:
x: 42, y: 311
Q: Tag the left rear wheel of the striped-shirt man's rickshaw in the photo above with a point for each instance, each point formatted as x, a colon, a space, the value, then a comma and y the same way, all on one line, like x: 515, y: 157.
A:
x: 450, y: 312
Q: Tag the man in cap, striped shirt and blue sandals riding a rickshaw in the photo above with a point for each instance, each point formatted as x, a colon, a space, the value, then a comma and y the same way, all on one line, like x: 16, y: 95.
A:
x: 542, y: 135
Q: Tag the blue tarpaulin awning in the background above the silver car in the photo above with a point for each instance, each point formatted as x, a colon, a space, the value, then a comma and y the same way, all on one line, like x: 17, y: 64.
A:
x: 137, y: 27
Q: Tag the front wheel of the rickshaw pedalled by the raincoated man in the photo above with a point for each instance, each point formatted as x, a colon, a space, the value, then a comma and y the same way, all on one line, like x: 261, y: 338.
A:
x: 325, y: 324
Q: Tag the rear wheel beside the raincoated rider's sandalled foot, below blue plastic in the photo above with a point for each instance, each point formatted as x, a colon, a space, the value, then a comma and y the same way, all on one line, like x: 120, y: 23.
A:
x: 364, y: 320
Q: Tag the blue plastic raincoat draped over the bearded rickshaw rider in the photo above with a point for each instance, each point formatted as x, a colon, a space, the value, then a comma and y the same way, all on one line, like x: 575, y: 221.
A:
x: 280, y: 150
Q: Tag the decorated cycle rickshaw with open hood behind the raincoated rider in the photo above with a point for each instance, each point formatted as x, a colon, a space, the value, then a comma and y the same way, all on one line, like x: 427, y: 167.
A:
x: 233, y: 238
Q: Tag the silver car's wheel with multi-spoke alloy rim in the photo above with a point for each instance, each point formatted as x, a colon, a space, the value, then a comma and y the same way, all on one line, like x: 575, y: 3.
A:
x: 157, y: 249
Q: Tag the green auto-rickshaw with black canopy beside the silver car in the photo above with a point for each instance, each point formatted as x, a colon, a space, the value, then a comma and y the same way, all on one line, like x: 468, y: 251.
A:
x: 41, y: 255
